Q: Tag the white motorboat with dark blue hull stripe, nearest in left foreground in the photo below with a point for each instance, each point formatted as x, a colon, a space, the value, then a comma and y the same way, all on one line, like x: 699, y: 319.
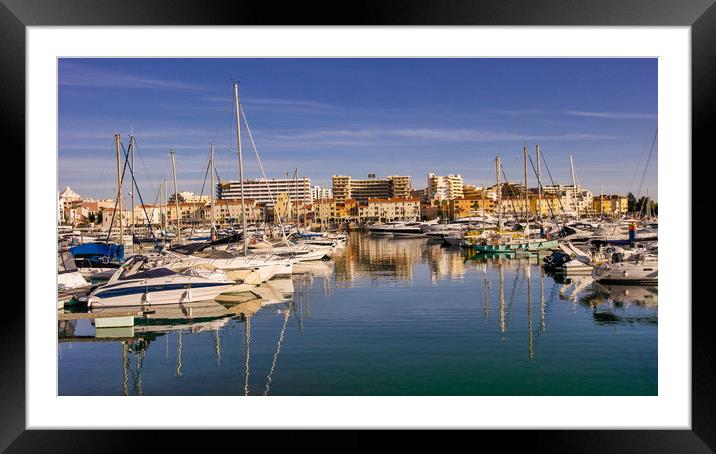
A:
x: 139, y: 283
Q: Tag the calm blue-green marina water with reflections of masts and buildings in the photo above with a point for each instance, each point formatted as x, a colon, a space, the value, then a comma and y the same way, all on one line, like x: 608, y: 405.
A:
x: 385, y: 317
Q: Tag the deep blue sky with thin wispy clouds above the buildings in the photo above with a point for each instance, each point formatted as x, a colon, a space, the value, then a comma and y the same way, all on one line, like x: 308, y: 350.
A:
x: 359, y: 116
